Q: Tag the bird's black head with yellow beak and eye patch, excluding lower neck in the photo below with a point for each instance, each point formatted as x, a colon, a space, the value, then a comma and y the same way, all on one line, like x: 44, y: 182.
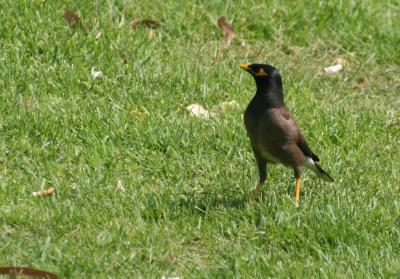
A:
x: 266, y: 76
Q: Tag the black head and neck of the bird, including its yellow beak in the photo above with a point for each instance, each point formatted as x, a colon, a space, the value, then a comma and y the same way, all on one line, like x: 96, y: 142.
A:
x: 268, y: 81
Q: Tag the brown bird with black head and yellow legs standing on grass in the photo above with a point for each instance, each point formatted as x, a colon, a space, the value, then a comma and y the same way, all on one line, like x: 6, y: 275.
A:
x: 274, y: 135
